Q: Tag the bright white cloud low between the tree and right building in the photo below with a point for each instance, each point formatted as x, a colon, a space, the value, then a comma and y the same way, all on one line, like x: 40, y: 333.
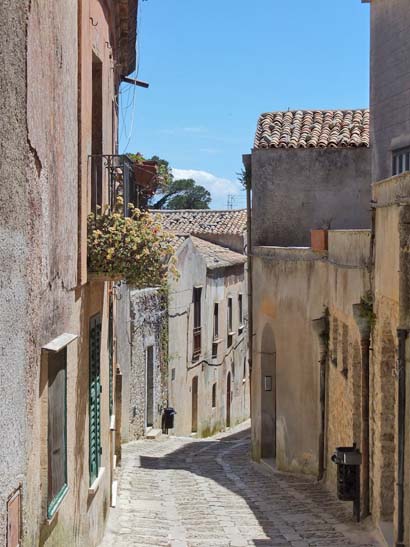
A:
x: 219, y: 187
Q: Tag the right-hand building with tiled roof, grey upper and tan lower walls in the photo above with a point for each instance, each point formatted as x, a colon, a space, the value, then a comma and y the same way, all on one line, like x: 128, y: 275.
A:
x: 310, y: 170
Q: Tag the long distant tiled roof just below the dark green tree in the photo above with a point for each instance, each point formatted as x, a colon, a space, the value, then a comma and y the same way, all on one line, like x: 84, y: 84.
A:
x: 203, y: 221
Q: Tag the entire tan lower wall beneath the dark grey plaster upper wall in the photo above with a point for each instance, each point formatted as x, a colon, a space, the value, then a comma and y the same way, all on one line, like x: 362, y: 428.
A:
x: 292, y: 289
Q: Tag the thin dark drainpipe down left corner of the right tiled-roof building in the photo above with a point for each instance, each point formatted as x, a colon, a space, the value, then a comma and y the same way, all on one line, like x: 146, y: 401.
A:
x: 247, y: 163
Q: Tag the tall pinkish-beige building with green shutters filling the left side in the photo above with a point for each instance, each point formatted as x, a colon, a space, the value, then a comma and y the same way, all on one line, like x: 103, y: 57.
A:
x: 61, y: 68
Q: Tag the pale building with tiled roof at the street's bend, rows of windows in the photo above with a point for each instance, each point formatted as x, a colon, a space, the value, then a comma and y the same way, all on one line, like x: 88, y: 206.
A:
x: 208, y: 379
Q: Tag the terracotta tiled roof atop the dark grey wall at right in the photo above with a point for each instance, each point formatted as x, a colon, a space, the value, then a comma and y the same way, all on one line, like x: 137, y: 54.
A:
x: 313, y: 129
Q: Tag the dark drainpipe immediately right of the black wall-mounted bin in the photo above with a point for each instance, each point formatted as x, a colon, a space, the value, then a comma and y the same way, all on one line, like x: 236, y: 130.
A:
x: 363, y: 324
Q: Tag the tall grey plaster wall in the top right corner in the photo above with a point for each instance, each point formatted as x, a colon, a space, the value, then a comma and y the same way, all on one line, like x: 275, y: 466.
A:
x: 389, y: 89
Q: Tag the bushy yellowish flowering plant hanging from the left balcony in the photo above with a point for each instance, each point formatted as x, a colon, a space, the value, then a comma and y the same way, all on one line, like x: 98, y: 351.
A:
x: 133, y: 248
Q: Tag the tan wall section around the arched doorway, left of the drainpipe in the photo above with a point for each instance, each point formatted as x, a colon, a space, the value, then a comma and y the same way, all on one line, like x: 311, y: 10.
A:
x: 288, y: 295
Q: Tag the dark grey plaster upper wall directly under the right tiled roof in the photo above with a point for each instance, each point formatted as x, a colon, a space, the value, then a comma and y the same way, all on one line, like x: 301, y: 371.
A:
x: 297, y: 190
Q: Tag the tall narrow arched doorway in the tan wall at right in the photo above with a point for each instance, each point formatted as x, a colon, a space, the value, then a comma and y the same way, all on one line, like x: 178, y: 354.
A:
x: 268, y: 393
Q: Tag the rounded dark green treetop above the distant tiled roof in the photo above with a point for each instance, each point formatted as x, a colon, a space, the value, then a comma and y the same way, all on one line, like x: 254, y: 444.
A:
x: 184, y: 194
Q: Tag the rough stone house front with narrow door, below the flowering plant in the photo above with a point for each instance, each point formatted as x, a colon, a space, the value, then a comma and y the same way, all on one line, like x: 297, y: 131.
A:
x: 142, y: 316
